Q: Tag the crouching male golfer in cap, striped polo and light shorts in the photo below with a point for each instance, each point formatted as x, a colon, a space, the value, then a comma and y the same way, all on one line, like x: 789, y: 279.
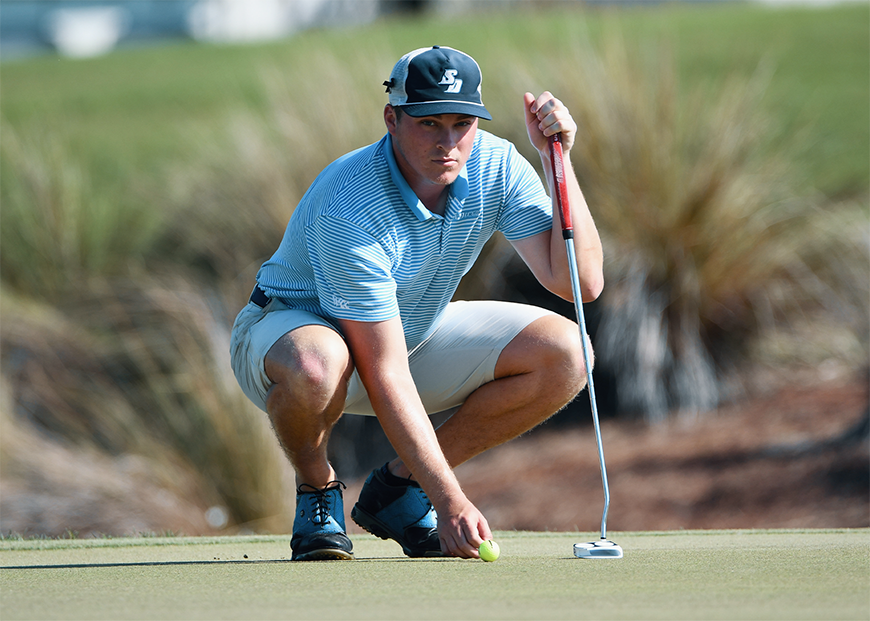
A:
x: 353, y: 312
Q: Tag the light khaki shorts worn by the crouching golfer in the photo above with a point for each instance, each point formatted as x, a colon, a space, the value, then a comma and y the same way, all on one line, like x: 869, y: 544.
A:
x: 455, y: 360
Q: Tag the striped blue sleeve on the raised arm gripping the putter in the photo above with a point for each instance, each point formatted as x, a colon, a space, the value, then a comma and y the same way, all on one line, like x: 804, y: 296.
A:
x: 528, y: 209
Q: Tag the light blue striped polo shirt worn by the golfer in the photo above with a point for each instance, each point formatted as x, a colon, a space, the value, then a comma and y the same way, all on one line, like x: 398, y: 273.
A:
x: 360, y: 245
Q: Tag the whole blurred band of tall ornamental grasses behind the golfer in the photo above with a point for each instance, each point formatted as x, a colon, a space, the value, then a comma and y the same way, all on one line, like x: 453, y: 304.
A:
x: 116, y: 299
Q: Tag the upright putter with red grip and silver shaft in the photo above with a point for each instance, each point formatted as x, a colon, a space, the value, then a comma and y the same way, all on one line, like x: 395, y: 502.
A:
x: 603, y: 548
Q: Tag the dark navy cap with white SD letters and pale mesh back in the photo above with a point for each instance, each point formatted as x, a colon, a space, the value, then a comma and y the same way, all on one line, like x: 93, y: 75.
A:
x: 437, y: 80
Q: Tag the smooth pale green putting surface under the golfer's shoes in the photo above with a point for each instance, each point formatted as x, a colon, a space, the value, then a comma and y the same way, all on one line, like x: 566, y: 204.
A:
x: 671, y: 575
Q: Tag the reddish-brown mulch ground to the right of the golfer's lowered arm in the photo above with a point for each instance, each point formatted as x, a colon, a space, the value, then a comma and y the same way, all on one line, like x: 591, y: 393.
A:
x: 750, y: 465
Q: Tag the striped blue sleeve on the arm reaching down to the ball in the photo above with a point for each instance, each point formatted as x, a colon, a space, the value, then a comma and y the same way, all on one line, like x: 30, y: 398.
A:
x: 352, y: 271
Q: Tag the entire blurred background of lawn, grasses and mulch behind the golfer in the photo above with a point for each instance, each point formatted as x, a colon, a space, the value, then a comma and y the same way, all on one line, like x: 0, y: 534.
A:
x: 152, y: 151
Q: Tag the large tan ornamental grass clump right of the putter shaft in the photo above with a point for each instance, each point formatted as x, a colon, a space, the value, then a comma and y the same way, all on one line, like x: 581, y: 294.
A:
x: 704, y: 226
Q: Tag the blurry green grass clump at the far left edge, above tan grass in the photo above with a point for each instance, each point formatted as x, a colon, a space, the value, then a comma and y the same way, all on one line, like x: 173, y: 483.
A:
x: 56, y: 229
